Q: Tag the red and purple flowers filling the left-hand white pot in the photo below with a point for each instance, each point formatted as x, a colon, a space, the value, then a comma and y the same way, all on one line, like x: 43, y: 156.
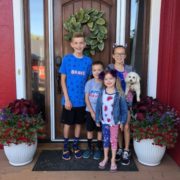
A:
x: 20, y: 122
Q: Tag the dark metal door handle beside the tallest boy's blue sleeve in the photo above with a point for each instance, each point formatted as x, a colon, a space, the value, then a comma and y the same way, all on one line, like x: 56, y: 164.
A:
x: 58, y: 61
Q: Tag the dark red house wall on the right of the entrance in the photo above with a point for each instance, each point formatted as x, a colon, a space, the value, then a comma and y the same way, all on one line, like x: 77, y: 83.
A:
x: 168, y: 84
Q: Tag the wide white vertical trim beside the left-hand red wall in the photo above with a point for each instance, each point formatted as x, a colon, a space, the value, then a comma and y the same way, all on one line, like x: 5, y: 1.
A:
x: 19, y: 48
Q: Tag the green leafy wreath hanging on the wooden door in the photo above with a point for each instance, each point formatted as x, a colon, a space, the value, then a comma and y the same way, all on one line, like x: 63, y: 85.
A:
x: 92, y: 23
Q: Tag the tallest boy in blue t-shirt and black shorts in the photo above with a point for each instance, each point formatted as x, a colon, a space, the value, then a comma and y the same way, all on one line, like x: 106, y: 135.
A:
x: 75, y: 70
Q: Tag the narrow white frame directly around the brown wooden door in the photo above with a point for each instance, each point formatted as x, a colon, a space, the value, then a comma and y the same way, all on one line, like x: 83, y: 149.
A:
x: 120, y: 39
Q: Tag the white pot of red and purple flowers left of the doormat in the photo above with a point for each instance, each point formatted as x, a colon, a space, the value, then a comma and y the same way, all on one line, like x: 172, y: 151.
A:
x: 20, y: 126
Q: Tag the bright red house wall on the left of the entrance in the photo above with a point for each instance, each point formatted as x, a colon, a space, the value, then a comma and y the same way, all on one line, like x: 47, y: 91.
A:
x: 7, y: 60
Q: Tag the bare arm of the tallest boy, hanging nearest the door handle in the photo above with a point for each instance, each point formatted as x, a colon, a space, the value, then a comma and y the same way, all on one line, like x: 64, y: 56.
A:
x: 68, y: 104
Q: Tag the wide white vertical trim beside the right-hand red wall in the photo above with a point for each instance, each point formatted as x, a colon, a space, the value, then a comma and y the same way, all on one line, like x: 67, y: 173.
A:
x: 153, y: 47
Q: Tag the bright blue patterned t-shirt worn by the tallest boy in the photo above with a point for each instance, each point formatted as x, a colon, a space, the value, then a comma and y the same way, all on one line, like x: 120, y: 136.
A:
x: 77, y: 71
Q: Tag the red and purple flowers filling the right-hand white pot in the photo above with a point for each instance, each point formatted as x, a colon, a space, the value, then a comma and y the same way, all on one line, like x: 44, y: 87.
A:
x: 151, y: 119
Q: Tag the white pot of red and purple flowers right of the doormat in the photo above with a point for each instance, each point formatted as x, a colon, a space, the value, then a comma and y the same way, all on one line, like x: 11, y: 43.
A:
x: 154, y: 128
